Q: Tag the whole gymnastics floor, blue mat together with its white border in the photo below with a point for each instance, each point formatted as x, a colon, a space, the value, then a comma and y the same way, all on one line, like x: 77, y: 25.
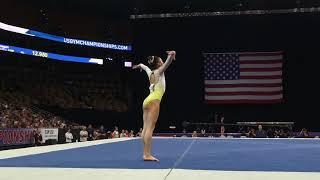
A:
x: 180, y: 158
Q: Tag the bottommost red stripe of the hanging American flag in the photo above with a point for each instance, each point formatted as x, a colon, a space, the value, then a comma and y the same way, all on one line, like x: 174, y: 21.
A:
x: 244, y: 101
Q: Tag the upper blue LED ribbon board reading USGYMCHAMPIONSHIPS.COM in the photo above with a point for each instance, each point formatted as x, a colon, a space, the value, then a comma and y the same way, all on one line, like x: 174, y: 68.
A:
x: 51, y: 37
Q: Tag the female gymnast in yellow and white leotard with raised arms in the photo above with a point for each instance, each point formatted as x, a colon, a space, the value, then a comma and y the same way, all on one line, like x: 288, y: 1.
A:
x: 151, y: 105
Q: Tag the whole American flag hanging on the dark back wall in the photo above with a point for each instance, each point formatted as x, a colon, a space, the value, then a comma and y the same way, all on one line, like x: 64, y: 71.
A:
x: 248, y: 77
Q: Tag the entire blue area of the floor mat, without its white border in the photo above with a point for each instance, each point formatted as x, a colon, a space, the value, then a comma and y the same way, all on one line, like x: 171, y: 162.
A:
x: 204, y: 154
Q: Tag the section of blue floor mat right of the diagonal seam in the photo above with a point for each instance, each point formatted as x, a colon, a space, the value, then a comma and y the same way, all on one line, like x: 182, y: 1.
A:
x: 253, y: 155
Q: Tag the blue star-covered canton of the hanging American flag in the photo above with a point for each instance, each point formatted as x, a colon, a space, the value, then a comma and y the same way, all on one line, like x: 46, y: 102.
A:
x: 222, y: 66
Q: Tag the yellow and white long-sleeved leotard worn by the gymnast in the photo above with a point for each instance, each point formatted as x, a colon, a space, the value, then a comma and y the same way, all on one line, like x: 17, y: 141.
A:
x: 158, y: 88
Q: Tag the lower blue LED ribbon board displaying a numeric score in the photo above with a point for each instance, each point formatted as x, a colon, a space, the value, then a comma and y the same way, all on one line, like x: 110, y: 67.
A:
x: 42, y: 54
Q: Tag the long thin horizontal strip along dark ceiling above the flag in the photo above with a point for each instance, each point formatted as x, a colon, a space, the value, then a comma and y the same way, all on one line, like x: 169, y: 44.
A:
x: 227, y: 13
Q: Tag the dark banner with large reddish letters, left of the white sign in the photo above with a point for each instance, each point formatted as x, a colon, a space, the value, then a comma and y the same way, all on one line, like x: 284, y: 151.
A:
x: 11, y: 137
